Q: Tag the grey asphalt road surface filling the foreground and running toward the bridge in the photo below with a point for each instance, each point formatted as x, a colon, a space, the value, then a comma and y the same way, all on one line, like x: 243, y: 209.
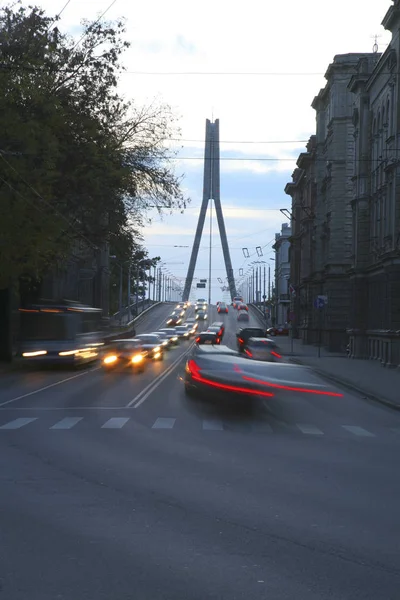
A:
x: 116, y: 487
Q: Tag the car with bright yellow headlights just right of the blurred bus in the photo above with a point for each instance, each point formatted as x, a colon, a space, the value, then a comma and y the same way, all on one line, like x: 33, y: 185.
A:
x: 125, y: 353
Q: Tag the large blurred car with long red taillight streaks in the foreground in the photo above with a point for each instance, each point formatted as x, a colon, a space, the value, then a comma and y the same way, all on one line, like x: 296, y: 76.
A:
x: 215, y: 370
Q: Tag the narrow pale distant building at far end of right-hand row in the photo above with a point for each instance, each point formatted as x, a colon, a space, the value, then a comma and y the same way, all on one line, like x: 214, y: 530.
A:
x: 282, y: 274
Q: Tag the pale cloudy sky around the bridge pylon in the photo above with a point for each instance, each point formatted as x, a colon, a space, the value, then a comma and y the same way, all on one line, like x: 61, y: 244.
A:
x: 255, y: 66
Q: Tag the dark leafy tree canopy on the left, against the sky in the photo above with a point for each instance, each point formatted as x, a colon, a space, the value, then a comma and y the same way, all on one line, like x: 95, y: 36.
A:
x: 77, y: 161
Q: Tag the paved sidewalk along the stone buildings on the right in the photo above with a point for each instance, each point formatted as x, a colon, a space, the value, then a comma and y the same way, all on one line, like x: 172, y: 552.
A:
x: 365, y: 377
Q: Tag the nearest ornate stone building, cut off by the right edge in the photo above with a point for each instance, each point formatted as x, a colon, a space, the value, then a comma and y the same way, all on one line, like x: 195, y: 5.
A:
x: 375, y: 268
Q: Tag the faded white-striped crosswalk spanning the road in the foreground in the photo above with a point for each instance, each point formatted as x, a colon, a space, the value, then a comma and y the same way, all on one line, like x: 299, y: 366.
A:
x: 206, y: 425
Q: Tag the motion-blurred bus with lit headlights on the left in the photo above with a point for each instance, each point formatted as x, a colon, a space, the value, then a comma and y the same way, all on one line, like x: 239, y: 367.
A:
x: 60, y: 332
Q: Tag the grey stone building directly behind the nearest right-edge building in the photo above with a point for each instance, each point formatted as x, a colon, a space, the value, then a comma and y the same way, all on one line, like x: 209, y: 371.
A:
x: 322, y: 194
